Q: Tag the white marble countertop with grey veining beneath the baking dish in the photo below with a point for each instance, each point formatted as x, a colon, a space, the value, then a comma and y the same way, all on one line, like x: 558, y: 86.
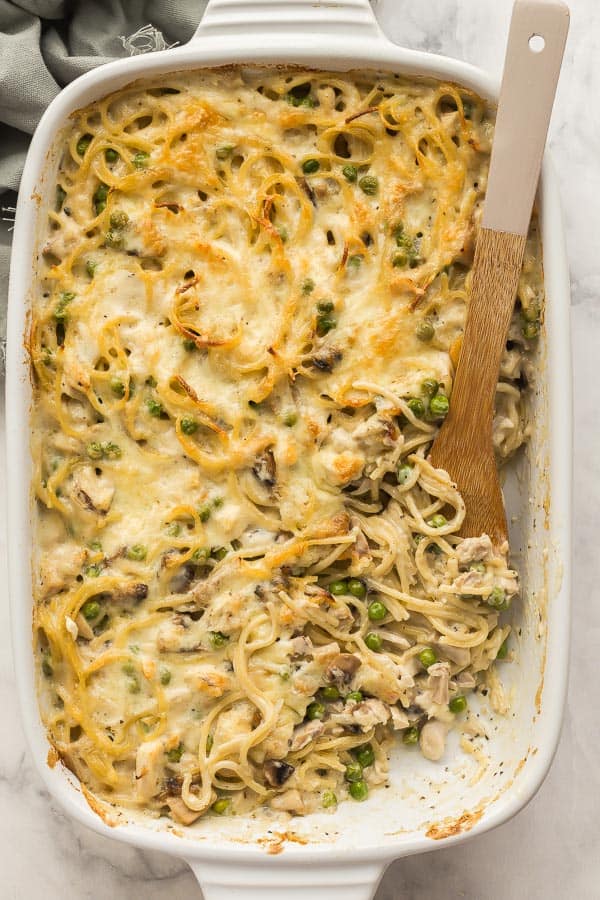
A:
x: 552, y: 849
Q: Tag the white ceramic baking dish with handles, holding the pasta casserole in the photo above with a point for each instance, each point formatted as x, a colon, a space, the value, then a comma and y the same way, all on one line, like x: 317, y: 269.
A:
x: 427, y: 805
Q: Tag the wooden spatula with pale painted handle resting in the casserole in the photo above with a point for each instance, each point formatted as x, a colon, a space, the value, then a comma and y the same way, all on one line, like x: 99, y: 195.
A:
x: 463, y: 447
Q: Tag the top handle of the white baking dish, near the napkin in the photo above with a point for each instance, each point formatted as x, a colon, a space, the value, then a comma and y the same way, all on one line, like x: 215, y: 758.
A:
x: 267, y: 18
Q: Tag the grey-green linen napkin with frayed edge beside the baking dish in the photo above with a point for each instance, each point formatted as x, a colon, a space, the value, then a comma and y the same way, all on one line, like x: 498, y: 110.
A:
x: 44, y: 44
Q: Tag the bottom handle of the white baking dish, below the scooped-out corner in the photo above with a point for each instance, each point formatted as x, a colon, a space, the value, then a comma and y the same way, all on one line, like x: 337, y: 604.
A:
x: 345, y: 881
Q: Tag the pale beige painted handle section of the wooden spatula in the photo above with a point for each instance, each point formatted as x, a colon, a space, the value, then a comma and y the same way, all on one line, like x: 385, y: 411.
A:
x: 526, y: 98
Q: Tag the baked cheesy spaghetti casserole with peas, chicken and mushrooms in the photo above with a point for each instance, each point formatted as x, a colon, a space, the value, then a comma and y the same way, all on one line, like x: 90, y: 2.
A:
x: 252, y: 297
